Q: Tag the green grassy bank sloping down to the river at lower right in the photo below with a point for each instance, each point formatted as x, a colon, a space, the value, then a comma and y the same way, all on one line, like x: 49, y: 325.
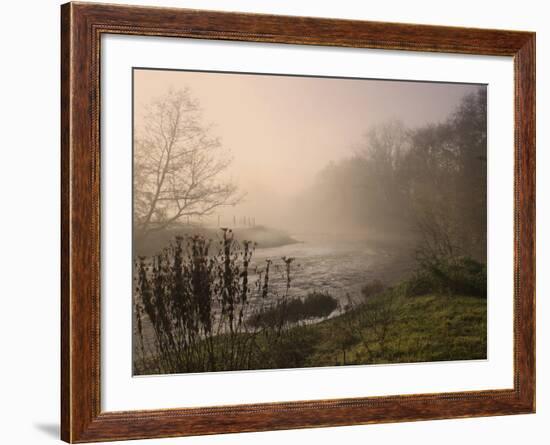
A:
x: 387, y: 329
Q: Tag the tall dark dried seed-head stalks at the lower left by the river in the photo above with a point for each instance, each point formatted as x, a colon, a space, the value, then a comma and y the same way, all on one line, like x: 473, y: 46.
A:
x: 196, y: 302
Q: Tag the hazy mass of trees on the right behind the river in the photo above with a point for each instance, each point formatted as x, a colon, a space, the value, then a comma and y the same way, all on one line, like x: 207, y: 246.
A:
x: 427, y: 184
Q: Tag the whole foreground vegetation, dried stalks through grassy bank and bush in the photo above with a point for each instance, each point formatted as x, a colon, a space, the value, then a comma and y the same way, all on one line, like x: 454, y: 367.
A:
x: 207, y: 314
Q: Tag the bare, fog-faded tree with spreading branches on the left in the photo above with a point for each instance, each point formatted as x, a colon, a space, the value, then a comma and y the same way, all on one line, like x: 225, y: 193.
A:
x: 178, y: 165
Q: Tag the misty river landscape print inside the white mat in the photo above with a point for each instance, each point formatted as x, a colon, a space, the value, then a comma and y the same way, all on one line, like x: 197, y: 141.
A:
x: 285, y: 221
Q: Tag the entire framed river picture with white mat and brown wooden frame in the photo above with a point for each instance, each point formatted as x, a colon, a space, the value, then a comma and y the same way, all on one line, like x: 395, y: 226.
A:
x: 274, y: 222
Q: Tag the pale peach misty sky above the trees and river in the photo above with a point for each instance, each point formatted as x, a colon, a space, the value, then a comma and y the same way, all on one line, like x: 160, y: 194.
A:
x: 282, y: 130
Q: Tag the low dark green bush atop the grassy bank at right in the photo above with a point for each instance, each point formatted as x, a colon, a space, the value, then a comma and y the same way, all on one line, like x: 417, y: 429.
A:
x: 456, y: 276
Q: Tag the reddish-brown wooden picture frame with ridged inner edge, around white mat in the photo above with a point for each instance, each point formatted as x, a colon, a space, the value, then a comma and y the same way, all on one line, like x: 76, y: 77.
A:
x: 82, y: 25
